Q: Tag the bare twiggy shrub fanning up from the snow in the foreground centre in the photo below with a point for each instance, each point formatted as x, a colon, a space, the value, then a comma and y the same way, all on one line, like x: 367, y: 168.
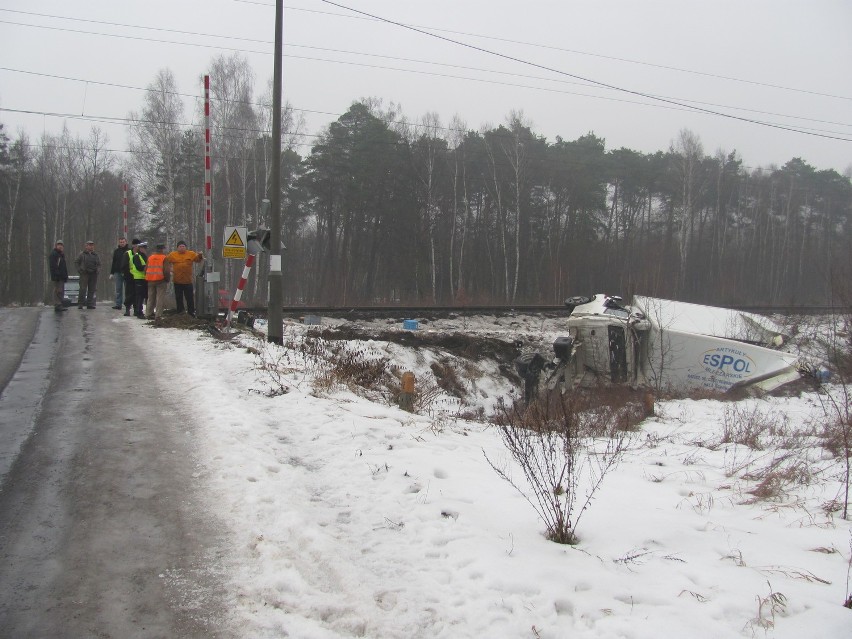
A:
x: 556, y: 441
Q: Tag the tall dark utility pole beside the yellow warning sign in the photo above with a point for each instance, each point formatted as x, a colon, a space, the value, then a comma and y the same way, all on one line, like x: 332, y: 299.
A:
x: 275, y: 328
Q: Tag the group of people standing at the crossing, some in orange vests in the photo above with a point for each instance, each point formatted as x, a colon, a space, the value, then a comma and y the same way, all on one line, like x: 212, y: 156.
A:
x: 140, y: 279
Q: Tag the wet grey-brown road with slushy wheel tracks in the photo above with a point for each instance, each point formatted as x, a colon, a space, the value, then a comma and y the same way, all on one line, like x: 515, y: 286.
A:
x: 103, y: 530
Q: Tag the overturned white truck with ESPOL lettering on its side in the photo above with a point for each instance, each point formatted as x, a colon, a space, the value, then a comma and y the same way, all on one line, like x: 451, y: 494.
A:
x: 660, y: 344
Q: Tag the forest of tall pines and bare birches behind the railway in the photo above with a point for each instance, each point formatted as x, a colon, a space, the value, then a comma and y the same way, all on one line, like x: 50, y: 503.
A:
x: 381, y: 209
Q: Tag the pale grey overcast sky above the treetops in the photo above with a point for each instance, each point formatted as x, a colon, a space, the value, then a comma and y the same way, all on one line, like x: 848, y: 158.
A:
x: 626, y: 70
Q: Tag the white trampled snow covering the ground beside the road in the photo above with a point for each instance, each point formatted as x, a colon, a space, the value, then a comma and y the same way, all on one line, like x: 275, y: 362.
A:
x: 352, y: 518
